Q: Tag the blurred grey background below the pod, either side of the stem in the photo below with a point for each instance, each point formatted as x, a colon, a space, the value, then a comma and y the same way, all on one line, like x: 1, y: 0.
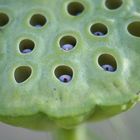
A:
x: 125, y: 126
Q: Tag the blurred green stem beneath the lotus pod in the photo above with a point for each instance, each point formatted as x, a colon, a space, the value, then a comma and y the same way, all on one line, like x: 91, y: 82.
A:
x: 78, y: 133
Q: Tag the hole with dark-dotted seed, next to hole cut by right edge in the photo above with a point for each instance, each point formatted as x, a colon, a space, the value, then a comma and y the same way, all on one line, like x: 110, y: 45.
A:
x: 98, y: 29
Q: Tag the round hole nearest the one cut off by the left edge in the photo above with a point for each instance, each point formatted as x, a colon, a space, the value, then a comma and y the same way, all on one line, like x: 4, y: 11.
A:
x: 38, y: 20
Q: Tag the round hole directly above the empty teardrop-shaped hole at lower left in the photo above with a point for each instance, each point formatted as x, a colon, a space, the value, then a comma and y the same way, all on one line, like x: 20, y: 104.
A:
x: 26, y: 46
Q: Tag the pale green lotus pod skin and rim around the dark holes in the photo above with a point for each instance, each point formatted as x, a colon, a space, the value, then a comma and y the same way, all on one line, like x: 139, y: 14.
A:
x: 42, y: 101
